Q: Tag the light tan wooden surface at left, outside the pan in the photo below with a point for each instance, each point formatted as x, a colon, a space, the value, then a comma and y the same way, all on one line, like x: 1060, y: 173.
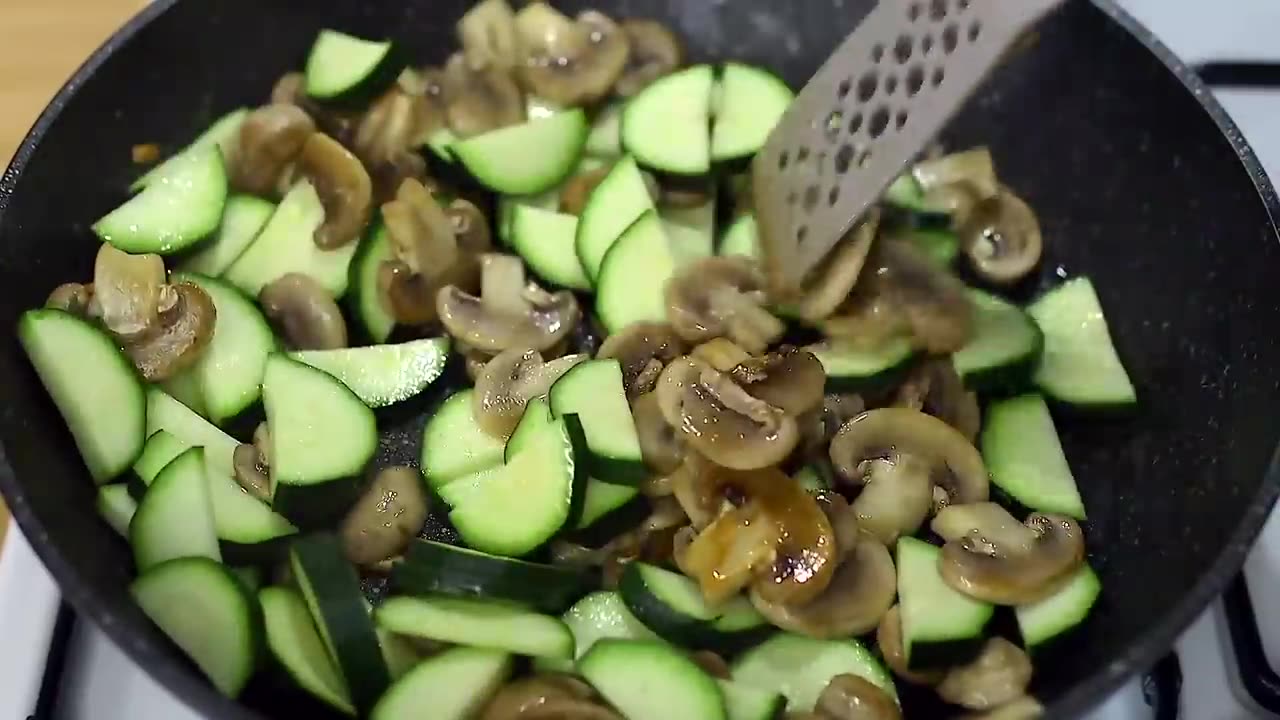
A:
x: 42, y: 44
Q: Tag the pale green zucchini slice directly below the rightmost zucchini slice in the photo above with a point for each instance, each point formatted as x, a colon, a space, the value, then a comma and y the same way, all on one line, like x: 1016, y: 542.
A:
x: 1026, y: 459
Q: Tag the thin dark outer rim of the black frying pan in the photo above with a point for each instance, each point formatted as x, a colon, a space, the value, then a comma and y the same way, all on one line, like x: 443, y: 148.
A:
x: 191, y: 690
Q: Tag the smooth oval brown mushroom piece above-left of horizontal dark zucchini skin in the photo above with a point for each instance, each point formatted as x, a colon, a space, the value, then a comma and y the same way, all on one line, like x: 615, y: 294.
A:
x: 387, y: 517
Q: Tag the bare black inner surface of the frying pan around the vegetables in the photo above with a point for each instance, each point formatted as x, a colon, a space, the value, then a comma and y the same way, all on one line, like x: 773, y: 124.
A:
x: 1140, y: 180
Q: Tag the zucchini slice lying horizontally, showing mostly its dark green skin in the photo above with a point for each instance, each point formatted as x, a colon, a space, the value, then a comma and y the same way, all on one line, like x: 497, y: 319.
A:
x: 433, y: 568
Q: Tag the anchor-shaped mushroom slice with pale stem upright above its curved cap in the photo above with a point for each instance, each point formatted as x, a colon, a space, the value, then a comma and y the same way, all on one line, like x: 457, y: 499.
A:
x: 509, y: 315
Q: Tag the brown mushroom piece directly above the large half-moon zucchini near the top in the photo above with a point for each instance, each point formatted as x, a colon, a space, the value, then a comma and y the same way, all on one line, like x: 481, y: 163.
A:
x: 481, y: 99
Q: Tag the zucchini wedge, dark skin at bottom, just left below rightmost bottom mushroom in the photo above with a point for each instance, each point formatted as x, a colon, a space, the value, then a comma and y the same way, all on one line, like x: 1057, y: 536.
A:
x: 940, y: 626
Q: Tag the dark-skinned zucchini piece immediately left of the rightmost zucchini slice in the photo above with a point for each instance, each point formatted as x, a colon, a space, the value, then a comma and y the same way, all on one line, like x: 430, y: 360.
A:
x: 1004, y: 350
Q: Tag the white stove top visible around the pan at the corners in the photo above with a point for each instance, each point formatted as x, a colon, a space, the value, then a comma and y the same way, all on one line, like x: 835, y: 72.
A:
x: 100, y: 683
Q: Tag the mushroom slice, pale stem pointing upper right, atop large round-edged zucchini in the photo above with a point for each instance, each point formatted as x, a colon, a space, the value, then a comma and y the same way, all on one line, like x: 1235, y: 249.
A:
x: 510, y: 381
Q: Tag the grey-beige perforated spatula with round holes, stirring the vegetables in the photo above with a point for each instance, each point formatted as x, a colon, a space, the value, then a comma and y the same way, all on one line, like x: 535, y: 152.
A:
x: 870, y: 112
